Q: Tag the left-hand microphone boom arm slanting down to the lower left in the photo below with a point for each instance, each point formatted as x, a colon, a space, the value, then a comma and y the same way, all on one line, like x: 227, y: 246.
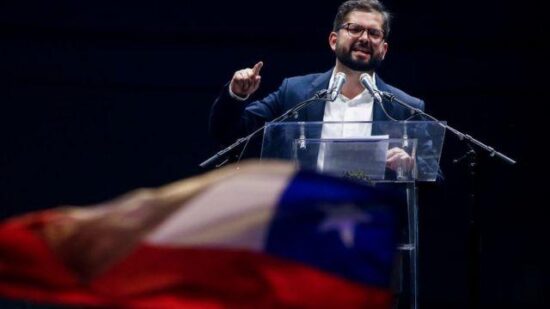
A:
x: 318, y: 96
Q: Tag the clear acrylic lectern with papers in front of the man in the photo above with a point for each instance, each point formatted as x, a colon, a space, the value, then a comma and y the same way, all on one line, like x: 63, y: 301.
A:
x: 359, y: 153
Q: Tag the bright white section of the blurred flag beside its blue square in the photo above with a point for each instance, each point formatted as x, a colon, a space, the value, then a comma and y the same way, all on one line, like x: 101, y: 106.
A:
x: 232, y: 214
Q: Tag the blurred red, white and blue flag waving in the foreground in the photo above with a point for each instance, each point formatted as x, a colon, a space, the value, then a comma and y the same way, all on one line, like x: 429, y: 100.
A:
x: 262, y: 235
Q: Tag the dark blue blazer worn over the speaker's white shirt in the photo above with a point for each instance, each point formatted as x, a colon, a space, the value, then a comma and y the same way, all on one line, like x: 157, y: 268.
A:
x: 231, y: 119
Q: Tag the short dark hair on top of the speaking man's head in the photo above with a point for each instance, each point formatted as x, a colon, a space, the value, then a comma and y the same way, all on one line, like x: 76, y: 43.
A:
x: 362, y: 5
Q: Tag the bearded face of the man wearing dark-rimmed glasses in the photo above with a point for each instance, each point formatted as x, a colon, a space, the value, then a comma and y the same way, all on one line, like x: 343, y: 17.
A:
x: 360, y: 51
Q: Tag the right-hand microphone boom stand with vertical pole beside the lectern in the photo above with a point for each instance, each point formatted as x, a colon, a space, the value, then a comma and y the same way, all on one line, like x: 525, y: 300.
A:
x: 474, y: 231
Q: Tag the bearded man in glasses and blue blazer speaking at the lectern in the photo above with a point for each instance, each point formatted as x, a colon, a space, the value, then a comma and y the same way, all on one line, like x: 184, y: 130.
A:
x: 358, y: 39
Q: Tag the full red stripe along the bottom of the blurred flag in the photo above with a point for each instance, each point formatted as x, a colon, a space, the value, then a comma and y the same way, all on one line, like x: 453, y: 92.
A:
x: 174, y: 277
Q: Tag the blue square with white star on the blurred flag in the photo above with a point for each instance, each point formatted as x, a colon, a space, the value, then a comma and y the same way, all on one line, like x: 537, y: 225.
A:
x: 344, y: 228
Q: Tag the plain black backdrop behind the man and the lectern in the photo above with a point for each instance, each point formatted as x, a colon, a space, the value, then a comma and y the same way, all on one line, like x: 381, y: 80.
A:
x: 101, y: 97
